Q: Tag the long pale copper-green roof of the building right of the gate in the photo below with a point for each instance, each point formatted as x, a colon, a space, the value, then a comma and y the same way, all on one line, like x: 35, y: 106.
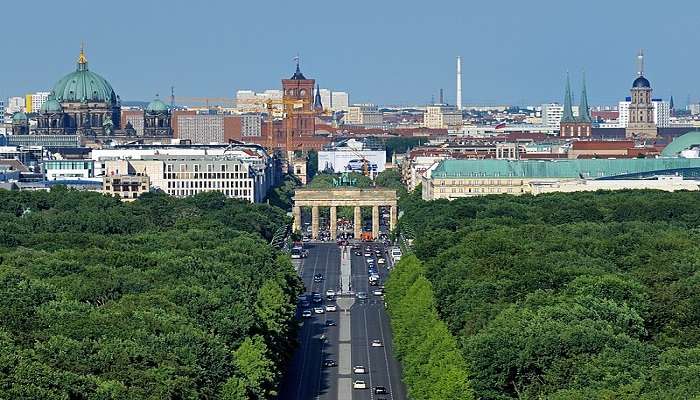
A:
x: 575, y: 168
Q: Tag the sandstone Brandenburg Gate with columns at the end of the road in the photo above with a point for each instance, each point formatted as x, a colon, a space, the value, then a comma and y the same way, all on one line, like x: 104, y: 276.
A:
x: 344, y: 197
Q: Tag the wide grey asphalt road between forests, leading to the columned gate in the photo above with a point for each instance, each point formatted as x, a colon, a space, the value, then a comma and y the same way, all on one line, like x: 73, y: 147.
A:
x: 307, y: 378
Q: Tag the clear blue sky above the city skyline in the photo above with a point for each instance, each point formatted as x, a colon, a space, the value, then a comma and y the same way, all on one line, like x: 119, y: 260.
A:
x: 380, y: 51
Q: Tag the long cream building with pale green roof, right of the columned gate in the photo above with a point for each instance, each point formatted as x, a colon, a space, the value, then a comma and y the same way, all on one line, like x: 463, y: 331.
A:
x: 451, y: 179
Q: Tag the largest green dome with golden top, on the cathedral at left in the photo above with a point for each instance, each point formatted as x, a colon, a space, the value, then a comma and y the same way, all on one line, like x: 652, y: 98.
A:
x: 84, y: 85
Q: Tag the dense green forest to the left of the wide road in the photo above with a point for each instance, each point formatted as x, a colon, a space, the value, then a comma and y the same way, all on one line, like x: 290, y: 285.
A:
x: 161, y: 298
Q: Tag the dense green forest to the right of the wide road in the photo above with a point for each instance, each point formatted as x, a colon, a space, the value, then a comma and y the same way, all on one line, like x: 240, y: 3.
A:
x: 559, y: 296
